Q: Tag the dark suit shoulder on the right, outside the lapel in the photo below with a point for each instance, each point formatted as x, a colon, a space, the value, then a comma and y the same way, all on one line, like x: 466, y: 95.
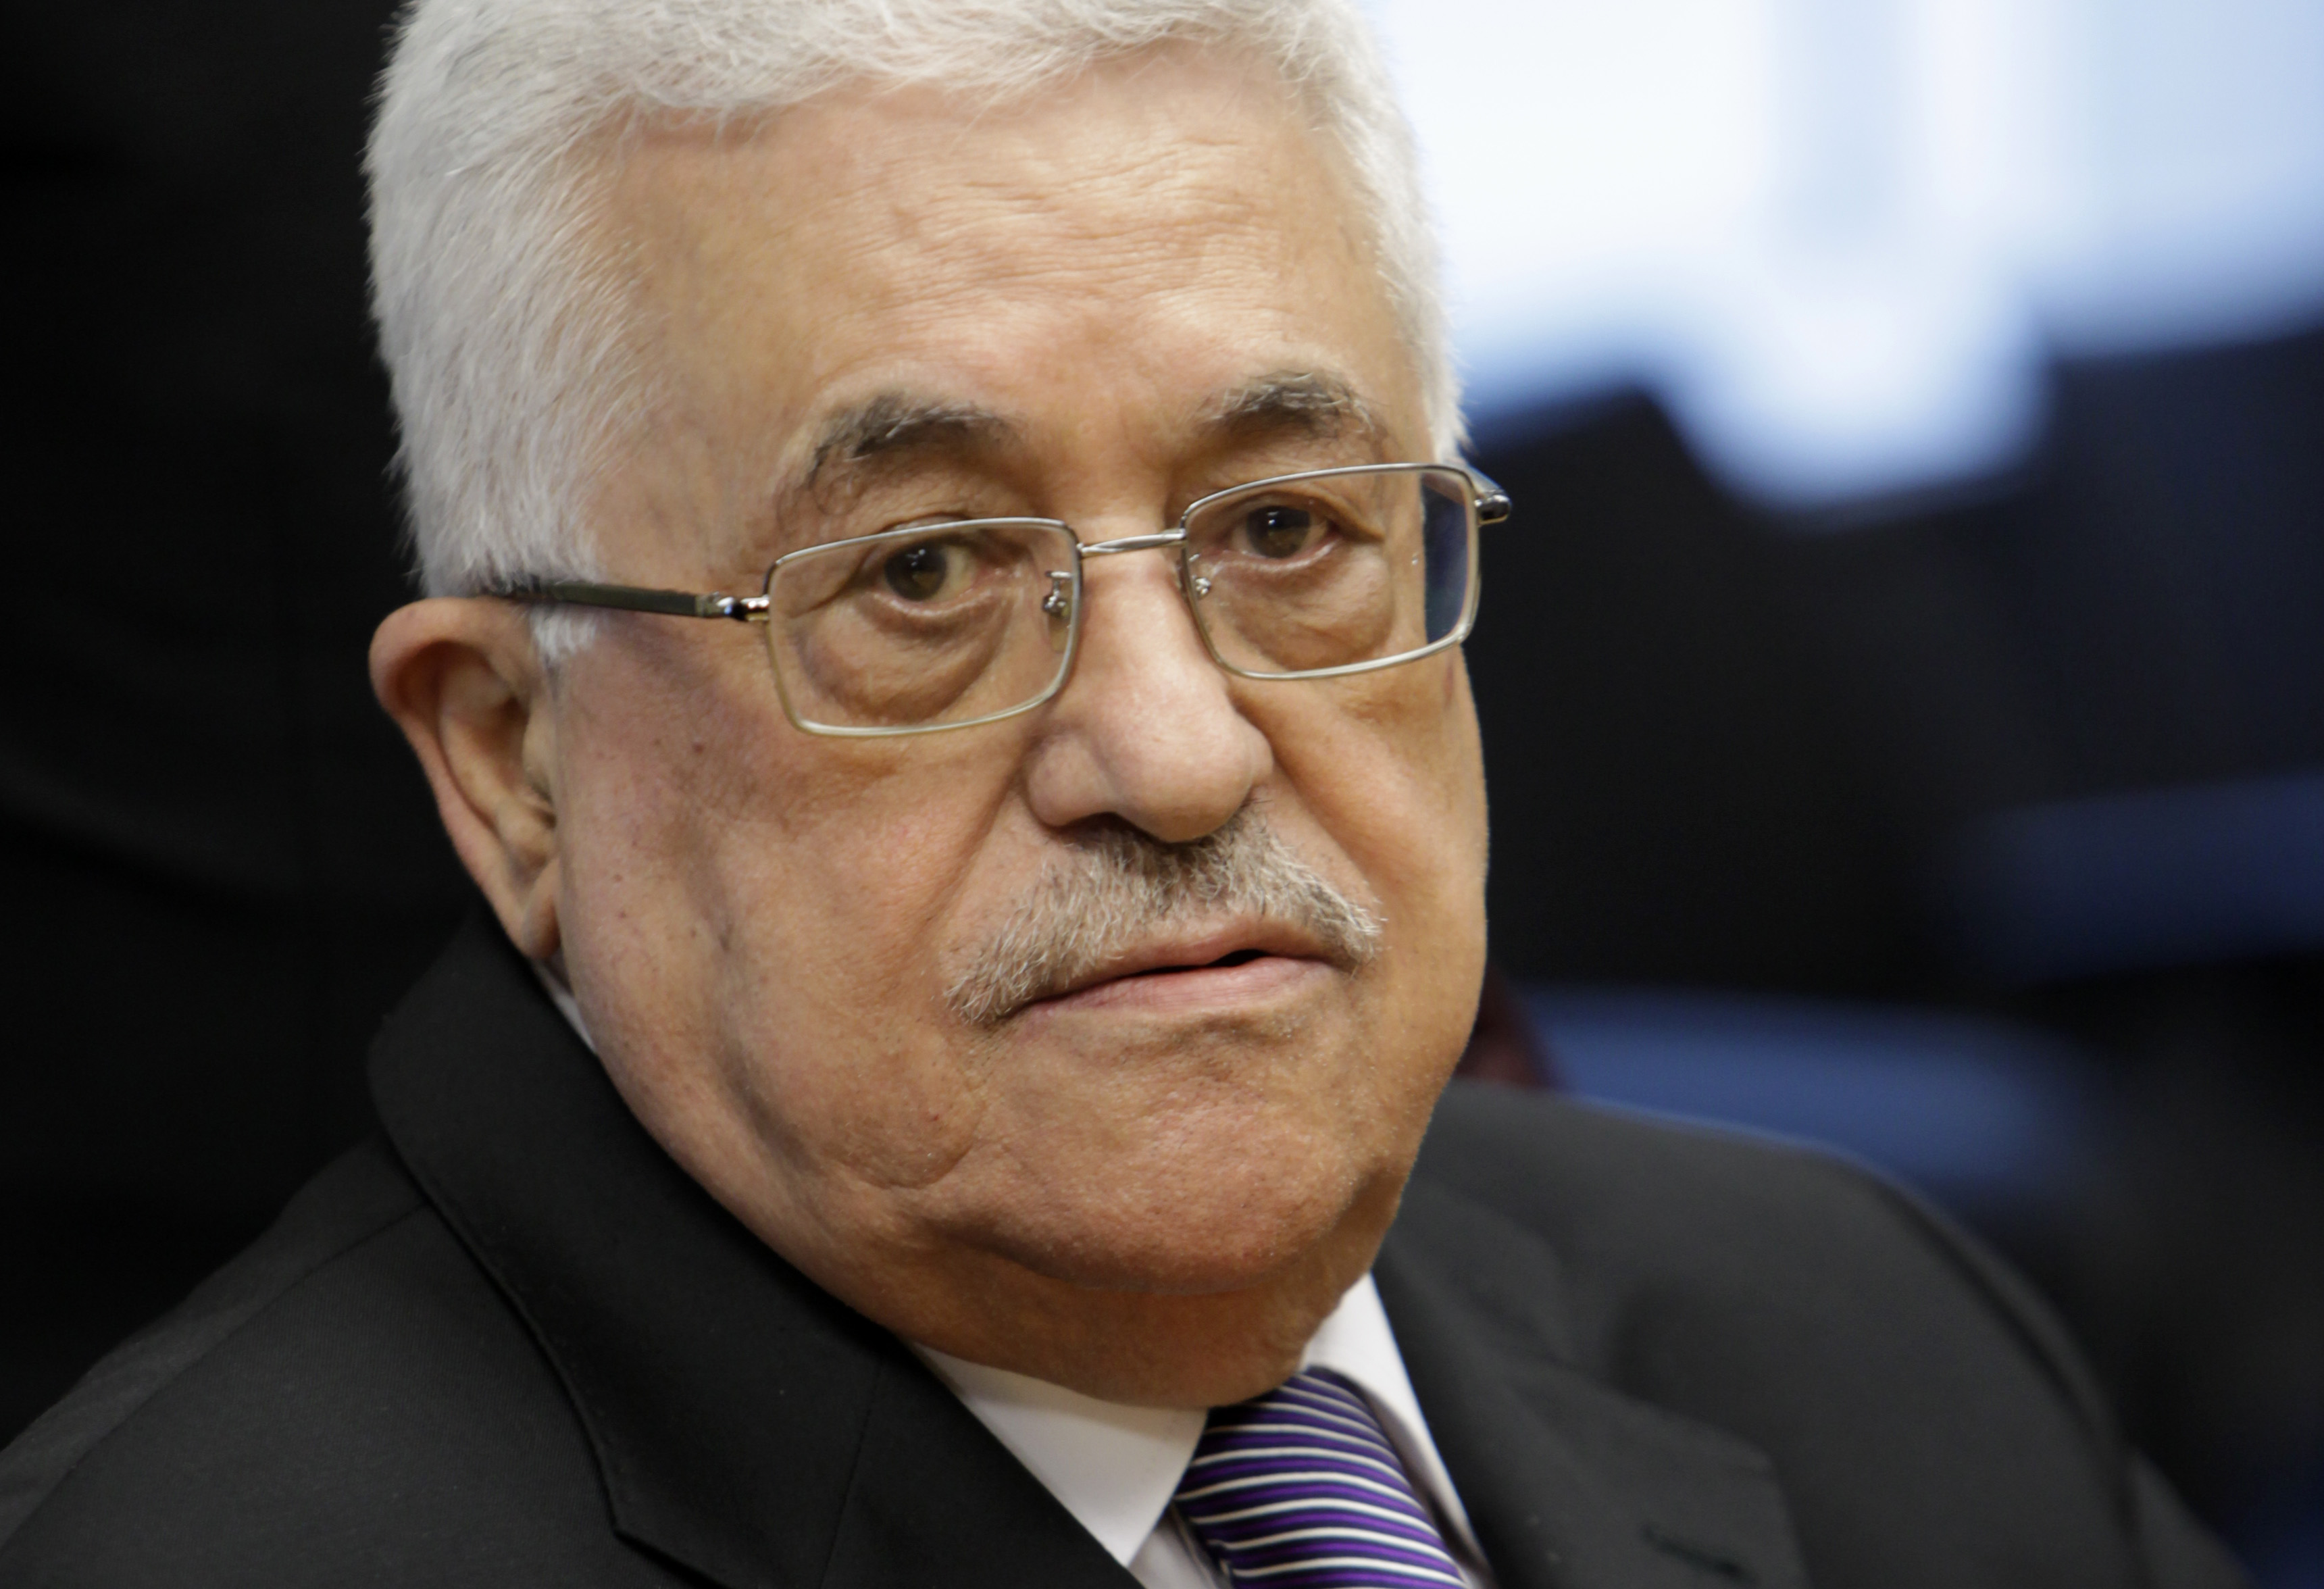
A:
x: 1888, y: 1365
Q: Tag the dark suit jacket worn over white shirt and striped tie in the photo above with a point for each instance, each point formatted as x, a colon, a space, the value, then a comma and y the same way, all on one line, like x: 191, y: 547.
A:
x: 517, y: 1346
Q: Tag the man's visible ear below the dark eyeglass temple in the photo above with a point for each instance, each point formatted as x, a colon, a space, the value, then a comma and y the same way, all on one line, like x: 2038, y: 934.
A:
x: 468, y: 689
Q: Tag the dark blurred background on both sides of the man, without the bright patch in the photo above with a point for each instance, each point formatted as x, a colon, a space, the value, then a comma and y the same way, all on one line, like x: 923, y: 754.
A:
x: 1977, y: 833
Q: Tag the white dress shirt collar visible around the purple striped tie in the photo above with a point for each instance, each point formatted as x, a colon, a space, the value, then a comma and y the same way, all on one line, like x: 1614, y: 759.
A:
x: 1117, y: 1469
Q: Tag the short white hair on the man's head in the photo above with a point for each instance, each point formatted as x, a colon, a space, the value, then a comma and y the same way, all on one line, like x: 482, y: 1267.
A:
x: 501, y: 322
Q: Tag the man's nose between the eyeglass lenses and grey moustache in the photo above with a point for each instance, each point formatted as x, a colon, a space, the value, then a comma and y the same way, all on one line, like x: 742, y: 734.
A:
x: 1147, y: 728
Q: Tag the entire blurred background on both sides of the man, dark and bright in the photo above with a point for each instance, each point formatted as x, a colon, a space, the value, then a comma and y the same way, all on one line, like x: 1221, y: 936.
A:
x: 1902, y: 686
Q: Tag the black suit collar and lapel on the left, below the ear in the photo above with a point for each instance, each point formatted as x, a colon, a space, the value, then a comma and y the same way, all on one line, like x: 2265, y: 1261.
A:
x: 745, y: 1423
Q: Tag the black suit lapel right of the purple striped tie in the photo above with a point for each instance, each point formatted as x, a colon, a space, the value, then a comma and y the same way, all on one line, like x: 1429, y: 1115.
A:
x: 1568, y: 1483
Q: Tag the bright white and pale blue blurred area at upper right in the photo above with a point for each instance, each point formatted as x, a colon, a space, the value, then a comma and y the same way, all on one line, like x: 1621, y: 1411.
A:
x: 1842, y: 238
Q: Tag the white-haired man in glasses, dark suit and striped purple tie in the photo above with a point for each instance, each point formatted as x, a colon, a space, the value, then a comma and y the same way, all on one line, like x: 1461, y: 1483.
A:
x: 945, y: 663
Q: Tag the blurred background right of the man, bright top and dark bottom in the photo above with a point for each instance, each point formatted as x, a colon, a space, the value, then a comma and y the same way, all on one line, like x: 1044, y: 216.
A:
x: 1905, y: 684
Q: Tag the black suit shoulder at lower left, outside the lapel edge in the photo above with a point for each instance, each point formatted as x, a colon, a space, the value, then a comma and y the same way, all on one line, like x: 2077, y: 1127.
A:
x: 347, y: 1402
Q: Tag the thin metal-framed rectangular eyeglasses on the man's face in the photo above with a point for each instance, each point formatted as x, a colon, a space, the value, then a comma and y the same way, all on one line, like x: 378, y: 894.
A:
x: 959, y: 624
